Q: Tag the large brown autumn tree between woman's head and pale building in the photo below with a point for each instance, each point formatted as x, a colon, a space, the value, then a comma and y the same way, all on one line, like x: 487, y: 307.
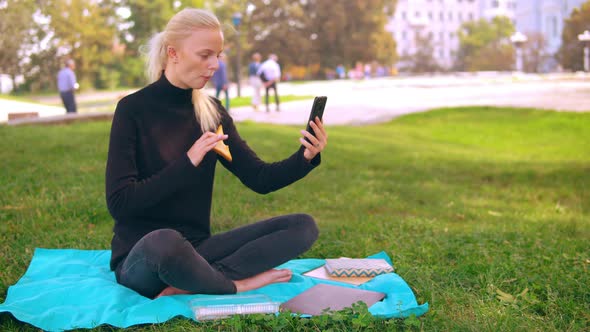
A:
x: 322, y: 34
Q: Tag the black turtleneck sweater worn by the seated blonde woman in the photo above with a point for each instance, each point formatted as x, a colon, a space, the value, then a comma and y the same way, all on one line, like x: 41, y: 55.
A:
x: 150, y: 181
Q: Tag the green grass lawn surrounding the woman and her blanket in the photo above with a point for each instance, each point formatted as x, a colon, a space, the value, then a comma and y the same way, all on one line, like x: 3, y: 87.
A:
x: 468, y: 202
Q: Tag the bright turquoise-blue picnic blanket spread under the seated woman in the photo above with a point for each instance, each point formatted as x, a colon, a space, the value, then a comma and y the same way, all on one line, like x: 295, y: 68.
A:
x: 66, y: 288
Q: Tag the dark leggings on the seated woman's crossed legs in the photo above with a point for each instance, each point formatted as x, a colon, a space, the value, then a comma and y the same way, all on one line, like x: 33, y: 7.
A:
x: 165, y: 258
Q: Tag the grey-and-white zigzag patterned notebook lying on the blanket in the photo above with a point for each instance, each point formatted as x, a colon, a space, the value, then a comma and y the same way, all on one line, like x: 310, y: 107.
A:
x: 357, y: 267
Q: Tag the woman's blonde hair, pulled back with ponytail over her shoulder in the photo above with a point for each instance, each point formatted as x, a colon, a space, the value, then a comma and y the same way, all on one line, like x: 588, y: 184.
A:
x: 179, y: 28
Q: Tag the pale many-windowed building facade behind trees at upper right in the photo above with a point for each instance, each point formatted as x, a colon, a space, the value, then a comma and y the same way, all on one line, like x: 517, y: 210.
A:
x: 441, y: 19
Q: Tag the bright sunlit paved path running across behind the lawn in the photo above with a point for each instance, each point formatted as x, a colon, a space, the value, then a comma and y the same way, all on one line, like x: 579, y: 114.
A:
x: 376, y: 100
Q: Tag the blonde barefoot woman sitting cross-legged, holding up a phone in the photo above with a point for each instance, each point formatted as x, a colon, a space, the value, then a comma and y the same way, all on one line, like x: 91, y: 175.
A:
x: 159, y: 178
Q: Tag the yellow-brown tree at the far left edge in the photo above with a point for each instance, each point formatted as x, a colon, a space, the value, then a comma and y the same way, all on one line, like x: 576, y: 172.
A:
x: 16, y: 22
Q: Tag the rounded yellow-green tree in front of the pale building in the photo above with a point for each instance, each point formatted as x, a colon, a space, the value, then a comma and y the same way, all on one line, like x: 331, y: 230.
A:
x: 485, y: 45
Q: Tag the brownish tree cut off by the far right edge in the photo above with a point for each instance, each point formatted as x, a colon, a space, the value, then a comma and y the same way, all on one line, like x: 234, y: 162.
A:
x: 570, y: 54
